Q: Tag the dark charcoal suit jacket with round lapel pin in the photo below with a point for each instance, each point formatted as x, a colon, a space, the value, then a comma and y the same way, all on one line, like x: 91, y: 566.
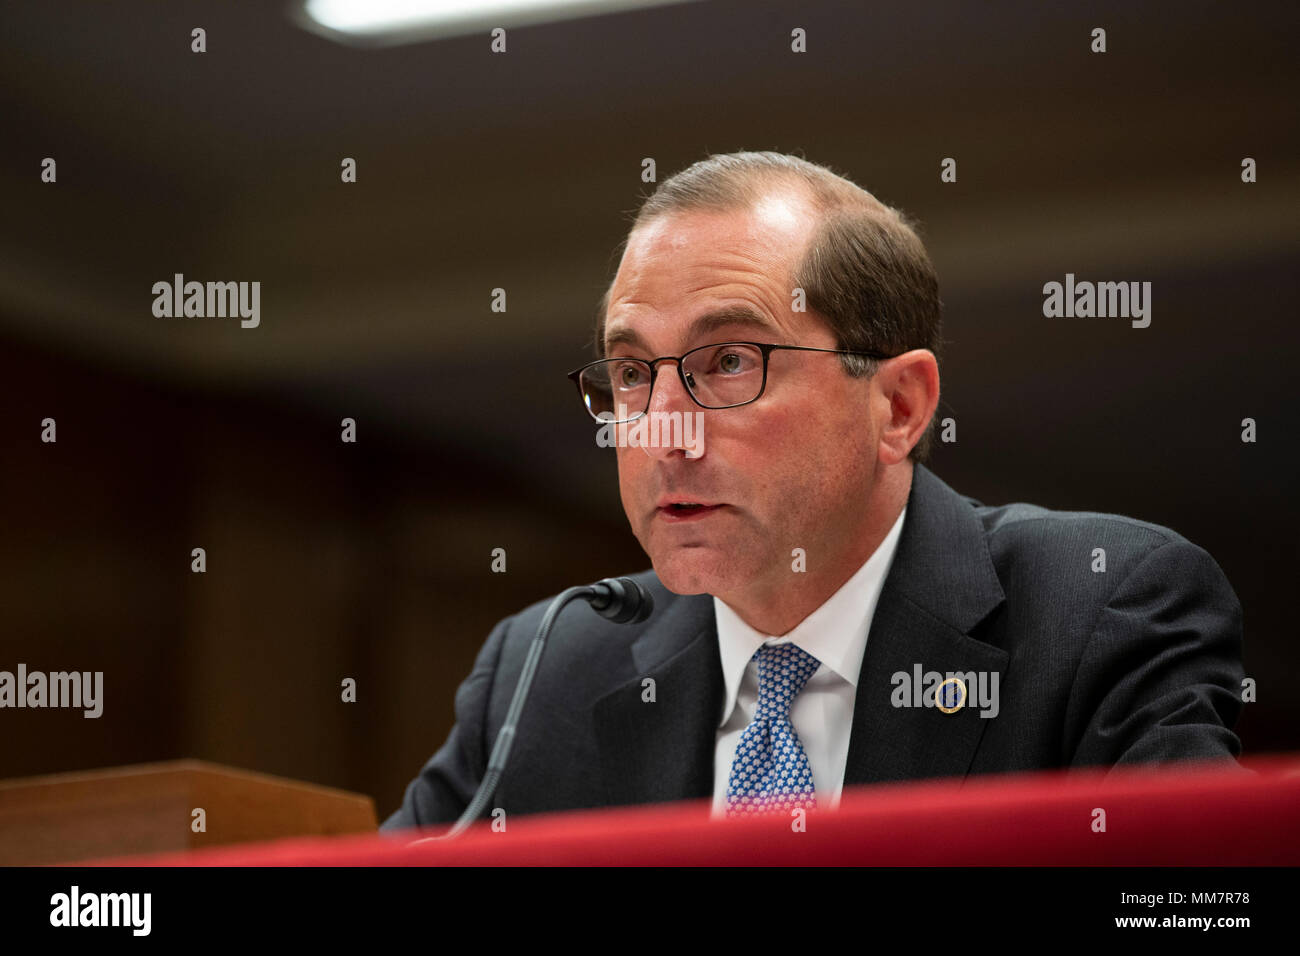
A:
x: 1141, y: 663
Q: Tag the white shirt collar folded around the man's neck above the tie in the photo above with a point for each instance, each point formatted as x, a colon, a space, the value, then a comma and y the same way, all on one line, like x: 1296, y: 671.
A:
x: 835, y: 634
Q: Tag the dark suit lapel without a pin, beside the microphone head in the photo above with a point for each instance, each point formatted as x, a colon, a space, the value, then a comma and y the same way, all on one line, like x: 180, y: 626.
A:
x: 664, y: 751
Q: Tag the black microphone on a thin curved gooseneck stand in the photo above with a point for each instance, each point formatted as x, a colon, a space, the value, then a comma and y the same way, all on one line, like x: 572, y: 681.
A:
x: 621, y: 600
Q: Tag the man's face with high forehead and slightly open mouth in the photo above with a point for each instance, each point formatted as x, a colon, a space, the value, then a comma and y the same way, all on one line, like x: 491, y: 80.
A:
x: 792, y: 470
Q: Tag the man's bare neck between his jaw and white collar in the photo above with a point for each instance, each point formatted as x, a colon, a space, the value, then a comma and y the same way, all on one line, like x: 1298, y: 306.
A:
x: 778, y: 608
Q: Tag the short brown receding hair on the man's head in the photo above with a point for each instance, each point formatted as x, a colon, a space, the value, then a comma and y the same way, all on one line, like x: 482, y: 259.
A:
x: 865, y: 269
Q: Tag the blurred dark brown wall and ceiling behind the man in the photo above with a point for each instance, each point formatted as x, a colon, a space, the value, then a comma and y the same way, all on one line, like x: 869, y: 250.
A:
x: 372, y: 561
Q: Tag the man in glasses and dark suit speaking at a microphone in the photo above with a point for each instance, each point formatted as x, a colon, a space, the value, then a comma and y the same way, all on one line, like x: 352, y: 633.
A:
x: 827, y: 612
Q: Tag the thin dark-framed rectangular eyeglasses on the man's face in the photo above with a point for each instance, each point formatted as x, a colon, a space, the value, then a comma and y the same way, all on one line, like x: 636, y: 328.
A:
x: 716, y: 377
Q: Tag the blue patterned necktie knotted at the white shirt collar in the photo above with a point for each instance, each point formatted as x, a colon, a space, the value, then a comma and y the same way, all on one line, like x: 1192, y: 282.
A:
x: 772, y: 773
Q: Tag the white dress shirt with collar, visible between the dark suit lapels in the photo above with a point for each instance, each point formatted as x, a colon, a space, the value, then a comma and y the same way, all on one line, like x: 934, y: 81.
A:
x: 822, y: 713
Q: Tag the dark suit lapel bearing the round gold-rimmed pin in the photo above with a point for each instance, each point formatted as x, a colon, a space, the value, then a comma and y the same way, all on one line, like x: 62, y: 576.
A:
x: 941, y: 586
